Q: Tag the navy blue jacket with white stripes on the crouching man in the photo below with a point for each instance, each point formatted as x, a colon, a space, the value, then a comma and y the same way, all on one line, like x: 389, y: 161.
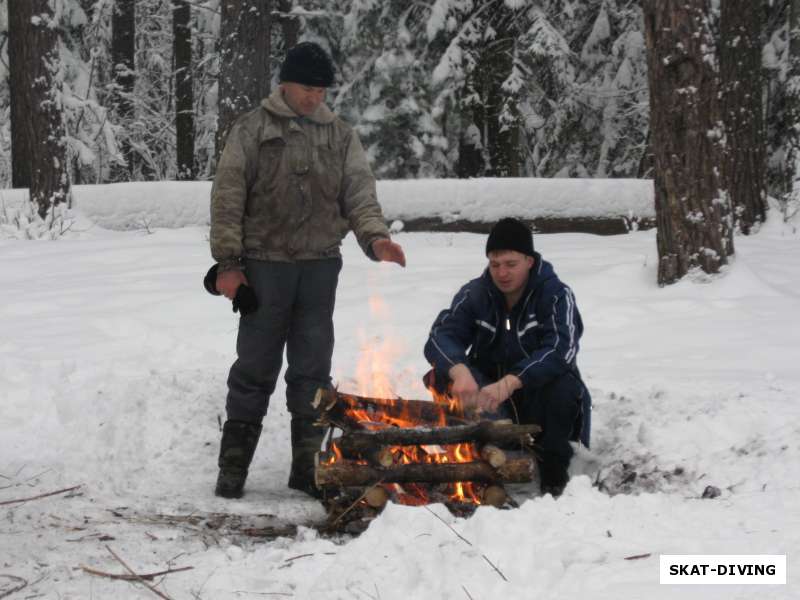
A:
x: 537, y: 340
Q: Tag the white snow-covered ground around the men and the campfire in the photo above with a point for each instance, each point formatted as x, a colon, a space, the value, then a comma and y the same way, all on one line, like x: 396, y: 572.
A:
x: 113, y: 362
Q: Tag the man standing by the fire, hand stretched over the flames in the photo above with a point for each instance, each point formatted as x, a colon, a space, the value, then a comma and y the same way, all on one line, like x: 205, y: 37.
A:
x: 292, y: 180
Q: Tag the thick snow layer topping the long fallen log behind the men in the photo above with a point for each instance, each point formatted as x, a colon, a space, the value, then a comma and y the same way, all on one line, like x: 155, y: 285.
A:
x: 172, y: 204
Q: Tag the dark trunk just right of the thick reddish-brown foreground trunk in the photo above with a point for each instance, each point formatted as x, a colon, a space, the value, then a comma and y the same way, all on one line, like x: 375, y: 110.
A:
x: 740, y: 94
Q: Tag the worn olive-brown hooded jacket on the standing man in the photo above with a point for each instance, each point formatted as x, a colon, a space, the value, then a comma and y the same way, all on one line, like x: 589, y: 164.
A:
x: 290, y: 188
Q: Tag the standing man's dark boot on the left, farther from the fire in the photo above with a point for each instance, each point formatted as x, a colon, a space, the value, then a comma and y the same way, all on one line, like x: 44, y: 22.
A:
x: 239, y: 441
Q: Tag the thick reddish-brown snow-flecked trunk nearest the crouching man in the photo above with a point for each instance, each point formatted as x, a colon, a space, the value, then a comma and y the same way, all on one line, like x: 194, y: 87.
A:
x: 692, y: 210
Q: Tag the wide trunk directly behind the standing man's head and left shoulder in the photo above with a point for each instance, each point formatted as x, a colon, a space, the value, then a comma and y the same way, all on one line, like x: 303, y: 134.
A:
x: 244, y: 77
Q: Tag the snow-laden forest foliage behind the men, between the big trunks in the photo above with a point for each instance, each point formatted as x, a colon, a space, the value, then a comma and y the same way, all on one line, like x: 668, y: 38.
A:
x: 436, y: 88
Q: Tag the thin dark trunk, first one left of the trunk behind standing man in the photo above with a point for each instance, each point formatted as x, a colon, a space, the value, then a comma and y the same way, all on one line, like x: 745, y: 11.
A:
x: 184, y: 109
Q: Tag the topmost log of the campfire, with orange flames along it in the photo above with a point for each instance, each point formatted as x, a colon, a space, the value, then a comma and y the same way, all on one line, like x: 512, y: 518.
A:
x: 334, y: 407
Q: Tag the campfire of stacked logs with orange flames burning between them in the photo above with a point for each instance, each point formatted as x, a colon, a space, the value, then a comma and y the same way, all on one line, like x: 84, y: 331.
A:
x: 416, y: 452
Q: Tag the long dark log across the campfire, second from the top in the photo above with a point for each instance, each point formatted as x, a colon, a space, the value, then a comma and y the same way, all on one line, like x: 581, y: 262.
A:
x: 363, y: 443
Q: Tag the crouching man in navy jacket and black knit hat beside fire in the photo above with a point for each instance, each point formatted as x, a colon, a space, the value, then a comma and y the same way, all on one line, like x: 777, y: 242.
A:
x: 508, y: 345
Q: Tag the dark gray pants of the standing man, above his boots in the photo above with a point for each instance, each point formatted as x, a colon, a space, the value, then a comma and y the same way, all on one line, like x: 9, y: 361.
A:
x: 295, y: 310
